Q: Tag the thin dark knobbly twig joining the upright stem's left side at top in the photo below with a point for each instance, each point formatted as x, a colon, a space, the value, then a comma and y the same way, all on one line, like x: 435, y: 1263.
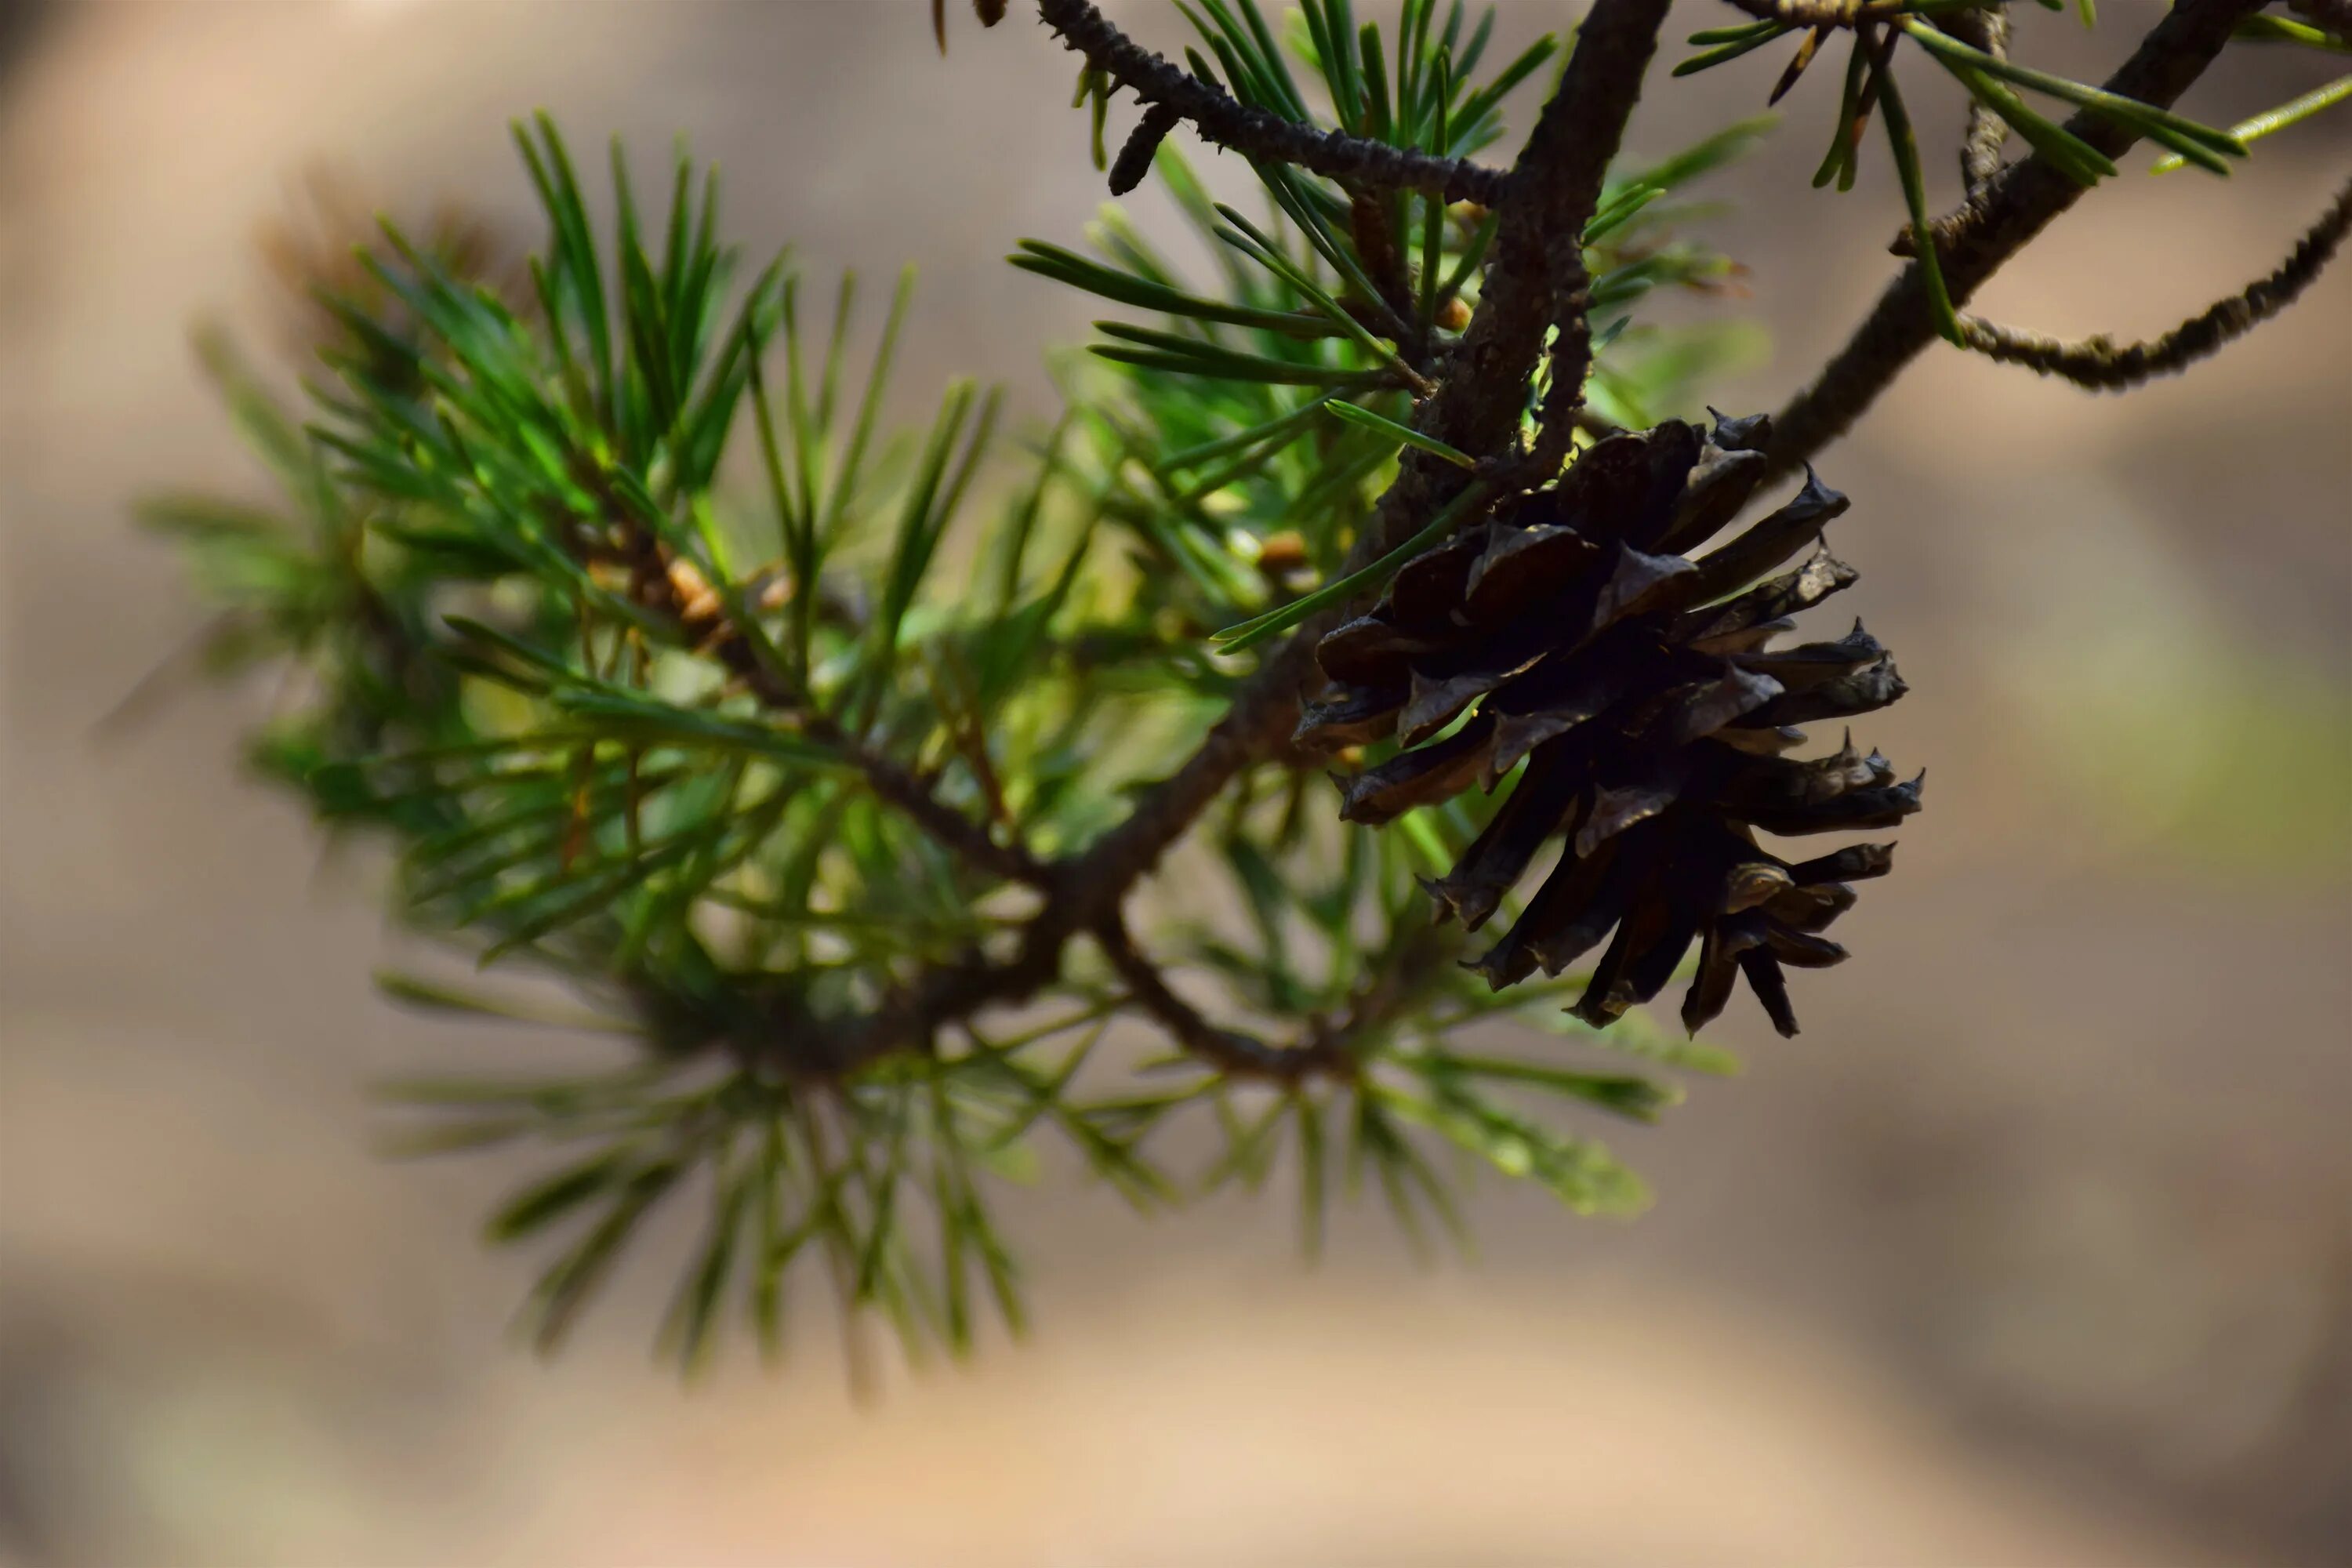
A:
x: 1231, y: 123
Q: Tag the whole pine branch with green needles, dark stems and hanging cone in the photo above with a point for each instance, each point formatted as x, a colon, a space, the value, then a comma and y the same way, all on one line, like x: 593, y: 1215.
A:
x: 766, y: 836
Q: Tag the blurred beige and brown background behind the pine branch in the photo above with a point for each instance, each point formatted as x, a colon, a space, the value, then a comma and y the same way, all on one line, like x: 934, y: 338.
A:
x: 2033, y: 1249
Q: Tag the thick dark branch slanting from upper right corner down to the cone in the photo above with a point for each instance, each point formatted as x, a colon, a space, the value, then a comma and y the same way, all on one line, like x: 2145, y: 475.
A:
x: 2019, y: 206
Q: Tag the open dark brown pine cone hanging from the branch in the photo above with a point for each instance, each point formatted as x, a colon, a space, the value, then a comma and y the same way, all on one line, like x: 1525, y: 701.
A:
x: 1655, y: 718
